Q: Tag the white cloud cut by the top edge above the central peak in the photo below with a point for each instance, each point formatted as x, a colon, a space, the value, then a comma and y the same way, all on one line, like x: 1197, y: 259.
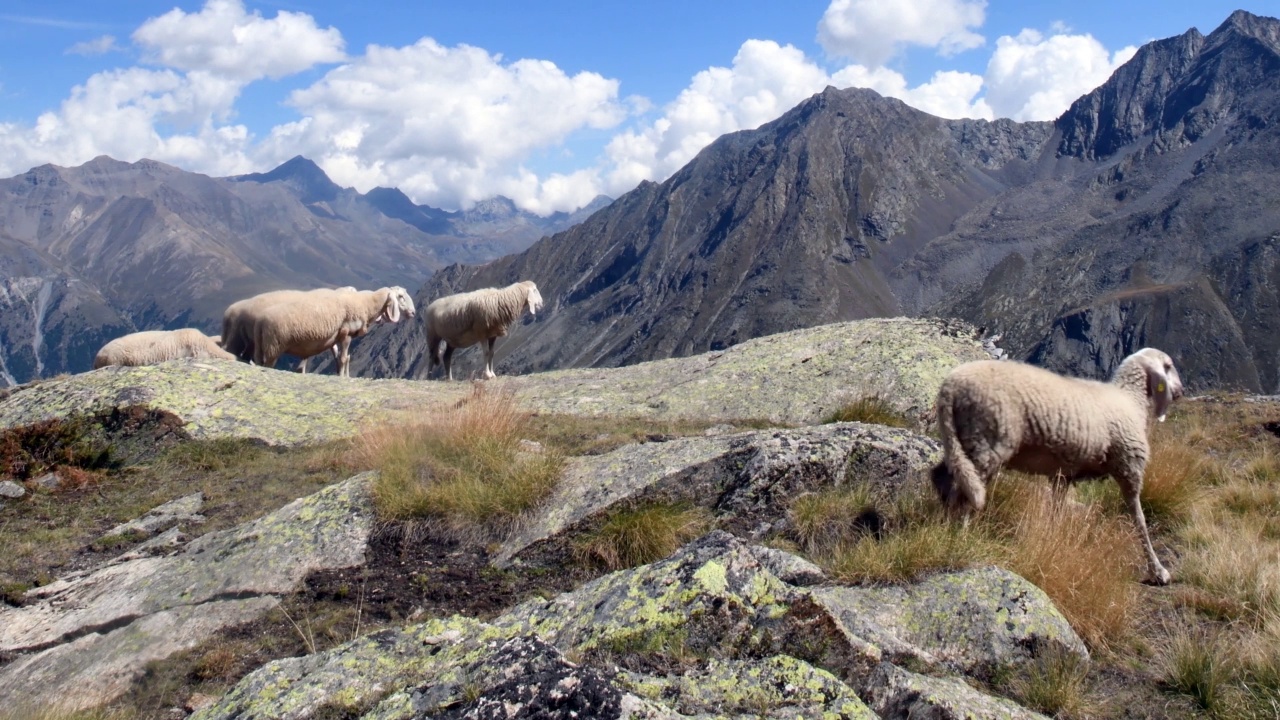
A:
x: 874, y: 31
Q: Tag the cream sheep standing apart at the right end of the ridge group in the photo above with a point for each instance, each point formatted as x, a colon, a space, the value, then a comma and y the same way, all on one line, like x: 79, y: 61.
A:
x: 467, y: 318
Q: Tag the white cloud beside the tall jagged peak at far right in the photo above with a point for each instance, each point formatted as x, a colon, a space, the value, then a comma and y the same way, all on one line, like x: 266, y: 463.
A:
x: 1032, y: 78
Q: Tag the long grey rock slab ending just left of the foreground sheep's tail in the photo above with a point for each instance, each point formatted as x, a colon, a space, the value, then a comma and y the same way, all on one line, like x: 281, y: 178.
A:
x: 747, y: 480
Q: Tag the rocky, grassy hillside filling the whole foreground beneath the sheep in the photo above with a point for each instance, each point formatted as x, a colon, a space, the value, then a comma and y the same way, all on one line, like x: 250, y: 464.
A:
x: 684, y: 539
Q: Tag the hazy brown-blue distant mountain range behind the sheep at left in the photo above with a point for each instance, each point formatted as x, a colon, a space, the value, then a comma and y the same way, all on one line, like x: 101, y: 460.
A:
x: 93, y: 253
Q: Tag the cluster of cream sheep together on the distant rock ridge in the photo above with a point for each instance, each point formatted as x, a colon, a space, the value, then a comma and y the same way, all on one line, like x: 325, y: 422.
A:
x: 305, y: 323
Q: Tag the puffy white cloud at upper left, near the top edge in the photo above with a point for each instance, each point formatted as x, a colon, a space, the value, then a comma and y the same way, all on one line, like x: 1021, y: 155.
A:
x: 223, y: 39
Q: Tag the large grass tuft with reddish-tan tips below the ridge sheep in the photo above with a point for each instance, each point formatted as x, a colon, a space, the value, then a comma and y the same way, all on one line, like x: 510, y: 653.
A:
x: 463, y: 468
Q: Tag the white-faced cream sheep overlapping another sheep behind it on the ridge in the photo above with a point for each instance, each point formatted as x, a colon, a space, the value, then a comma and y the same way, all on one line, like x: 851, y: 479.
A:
x: 323, y: 320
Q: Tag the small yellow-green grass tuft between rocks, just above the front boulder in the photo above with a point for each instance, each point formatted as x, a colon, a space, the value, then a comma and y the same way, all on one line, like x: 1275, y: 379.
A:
x: 642, y: 535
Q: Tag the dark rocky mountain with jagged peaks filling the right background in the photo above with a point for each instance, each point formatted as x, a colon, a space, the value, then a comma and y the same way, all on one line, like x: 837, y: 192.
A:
x: 1146, y: 215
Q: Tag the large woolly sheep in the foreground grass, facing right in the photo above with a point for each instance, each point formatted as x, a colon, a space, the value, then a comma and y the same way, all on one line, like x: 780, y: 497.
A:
x: 998, y: 414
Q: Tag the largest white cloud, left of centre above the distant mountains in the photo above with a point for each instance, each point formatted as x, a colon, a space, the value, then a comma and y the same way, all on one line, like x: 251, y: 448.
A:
x: 449, y: 126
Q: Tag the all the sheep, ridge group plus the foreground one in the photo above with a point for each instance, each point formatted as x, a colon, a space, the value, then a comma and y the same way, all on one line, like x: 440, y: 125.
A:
x: 991, y: 414
